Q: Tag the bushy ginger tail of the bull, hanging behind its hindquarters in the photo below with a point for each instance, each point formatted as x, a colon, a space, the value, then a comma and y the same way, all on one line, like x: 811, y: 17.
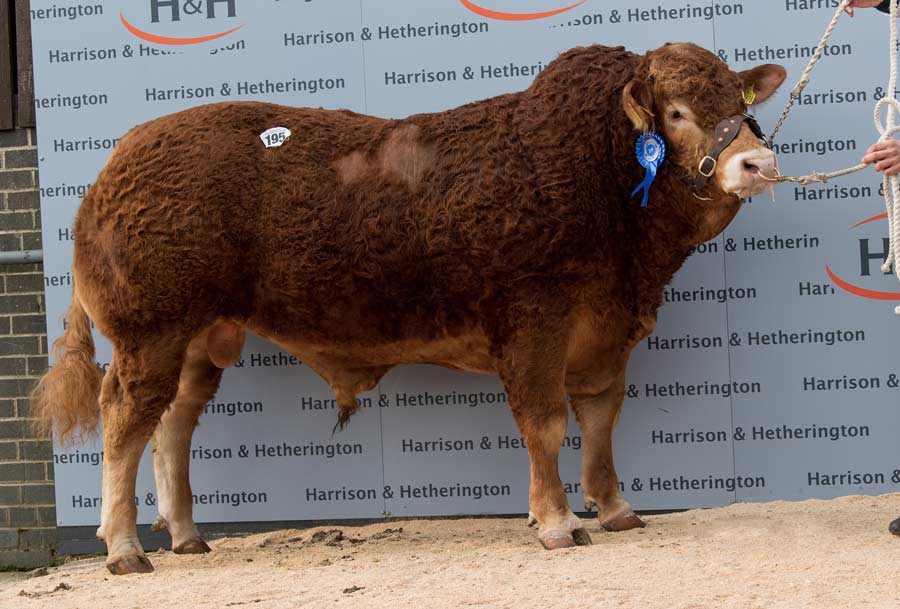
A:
x: 67, y: 395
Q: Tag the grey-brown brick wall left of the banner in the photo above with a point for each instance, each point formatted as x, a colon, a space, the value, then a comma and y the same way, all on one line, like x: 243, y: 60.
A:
x: 27, y: 504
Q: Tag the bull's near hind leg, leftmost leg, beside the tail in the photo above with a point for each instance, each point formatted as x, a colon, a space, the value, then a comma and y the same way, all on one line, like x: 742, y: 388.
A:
x: 136, y: 390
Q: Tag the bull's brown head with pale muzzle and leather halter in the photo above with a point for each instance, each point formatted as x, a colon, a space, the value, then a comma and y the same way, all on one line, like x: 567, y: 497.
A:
x: 690, y: 96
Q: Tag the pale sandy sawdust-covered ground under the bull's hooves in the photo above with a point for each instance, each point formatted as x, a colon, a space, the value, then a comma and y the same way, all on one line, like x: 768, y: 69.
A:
x: 821, y: 554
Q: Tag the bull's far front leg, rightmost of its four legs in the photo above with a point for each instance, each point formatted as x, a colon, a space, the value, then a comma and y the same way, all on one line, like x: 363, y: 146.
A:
x: 597, y: 415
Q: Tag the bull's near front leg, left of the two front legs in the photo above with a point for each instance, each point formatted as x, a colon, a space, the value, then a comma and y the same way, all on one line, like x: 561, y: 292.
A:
x: 532, y: 372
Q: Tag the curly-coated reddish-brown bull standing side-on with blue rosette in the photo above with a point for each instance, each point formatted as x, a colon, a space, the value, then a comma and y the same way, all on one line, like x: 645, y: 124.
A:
x: 499, y: 237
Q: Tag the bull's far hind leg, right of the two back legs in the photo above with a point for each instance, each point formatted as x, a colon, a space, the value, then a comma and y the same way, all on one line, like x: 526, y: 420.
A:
x: 171, y: 443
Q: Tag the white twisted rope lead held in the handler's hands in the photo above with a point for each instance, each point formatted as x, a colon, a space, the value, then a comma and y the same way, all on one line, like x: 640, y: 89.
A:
x: 890, y: 184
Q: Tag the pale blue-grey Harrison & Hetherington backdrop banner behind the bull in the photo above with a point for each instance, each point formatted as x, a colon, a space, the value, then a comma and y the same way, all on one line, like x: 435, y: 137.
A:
x: 765, y: 379
